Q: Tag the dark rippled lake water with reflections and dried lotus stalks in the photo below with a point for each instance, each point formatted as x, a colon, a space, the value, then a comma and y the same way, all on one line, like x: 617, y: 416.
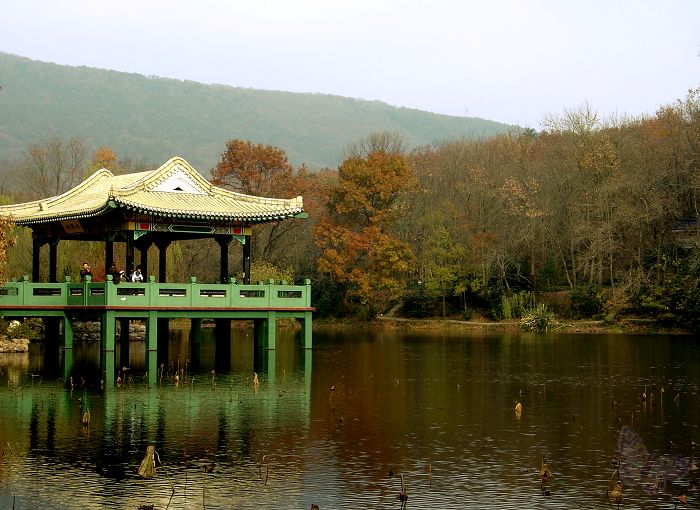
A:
x: 331, y: 426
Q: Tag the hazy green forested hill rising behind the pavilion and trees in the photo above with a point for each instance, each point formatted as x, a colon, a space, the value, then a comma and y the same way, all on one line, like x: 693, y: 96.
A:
x: 151, y: 119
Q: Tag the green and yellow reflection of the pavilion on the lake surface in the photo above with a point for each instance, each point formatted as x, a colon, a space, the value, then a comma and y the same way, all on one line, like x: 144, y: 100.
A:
x: 233, y: 424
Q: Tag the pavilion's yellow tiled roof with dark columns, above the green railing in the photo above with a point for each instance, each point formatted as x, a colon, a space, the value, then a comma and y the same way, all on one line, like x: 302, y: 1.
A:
x: 172, y: 202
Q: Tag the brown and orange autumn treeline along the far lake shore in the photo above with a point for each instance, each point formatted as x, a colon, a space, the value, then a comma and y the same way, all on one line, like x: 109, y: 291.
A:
x: 595, y: 218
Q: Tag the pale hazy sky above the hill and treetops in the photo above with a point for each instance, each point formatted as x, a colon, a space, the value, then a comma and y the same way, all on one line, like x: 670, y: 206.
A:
x: 510, y: 61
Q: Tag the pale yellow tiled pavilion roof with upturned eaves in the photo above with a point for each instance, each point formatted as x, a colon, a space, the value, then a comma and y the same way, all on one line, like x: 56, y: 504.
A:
x: 175, y: 190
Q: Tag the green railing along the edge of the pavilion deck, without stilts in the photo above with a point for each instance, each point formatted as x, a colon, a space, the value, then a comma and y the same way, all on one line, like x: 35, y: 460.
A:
x: 271, y: 295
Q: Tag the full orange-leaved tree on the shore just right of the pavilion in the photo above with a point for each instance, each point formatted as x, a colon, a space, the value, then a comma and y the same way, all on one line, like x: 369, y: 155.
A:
x: 359, y: 250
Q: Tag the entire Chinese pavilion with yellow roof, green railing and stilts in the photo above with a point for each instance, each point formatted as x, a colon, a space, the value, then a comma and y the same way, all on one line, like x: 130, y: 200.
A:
x: 139, y: 210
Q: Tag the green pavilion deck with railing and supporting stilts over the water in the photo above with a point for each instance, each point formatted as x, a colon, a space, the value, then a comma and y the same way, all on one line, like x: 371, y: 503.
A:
x: 154, y: 303
